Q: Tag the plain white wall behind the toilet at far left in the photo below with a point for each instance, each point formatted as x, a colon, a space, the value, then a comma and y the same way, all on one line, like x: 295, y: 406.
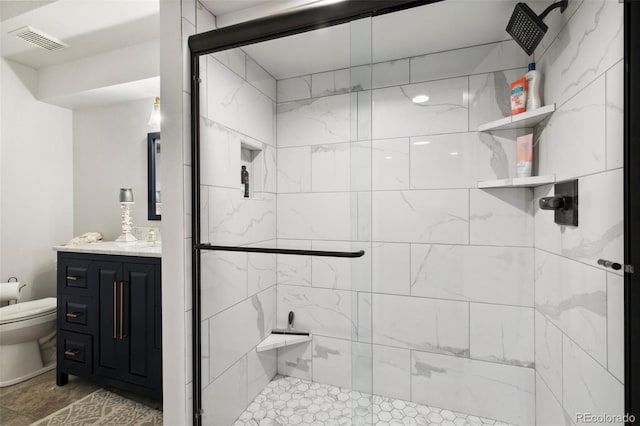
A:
x: 36, y: 182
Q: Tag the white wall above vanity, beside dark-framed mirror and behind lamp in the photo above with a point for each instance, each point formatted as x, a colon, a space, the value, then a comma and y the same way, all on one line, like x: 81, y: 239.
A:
x: 109, y: 153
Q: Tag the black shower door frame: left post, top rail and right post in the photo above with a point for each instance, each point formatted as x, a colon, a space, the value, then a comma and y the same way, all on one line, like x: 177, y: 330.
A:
x: 283, y: 25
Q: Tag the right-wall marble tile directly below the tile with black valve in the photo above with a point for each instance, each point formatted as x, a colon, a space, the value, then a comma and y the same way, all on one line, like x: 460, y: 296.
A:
x: 573, y: 296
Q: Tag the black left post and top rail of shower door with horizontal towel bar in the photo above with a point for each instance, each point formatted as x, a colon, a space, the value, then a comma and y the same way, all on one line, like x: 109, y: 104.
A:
x: 238, y: 35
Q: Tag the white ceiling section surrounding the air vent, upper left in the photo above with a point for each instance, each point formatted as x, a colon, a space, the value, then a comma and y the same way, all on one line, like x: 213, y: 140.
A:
x: 90, y: 27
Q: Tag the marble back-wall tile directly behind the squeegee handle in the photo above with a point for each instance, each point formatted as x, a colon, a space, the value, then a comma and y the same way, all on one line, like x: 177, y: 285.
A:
x: 324, y: 312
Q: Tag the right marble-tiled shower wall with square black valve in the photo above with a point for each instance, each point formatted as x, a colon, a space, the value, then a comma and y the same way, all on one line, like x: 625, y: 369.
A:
x: 578, y: 304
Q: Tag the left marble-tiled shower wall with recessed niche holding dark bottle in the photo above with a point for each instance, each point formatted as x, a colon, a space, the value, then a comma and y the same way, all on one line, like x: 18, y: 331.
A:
x: 238, y: 289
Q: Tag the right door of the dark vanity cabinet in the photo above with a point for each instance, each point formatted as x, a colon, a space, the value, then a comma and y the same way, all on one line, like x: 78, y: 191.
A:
x: 139, y: 320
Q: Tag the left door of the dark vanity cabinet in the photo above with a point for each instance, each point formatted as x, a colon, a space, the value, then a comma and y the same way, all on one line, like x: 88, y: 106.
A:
x: 109, y: 279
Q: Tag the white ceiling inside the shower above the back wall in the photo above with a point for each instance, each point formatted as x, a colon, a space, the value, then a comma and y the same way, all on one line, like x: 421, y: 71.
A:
x: 446, y: 25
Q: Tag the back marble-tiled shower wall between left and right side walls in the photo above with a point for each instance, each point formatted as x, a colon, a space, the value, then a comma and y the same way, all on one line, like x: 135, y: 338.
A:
x: 444, y: 297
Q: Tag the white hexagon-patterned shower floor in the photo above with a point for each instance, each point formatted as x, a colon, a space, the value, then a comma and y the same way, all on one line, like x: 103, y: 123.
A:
x: 290, y: 401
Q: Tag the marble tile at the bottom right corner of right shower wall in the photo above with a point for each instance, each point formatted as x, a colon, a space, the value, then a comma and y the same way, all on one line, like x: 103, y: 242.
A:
x: 587, y: 386
